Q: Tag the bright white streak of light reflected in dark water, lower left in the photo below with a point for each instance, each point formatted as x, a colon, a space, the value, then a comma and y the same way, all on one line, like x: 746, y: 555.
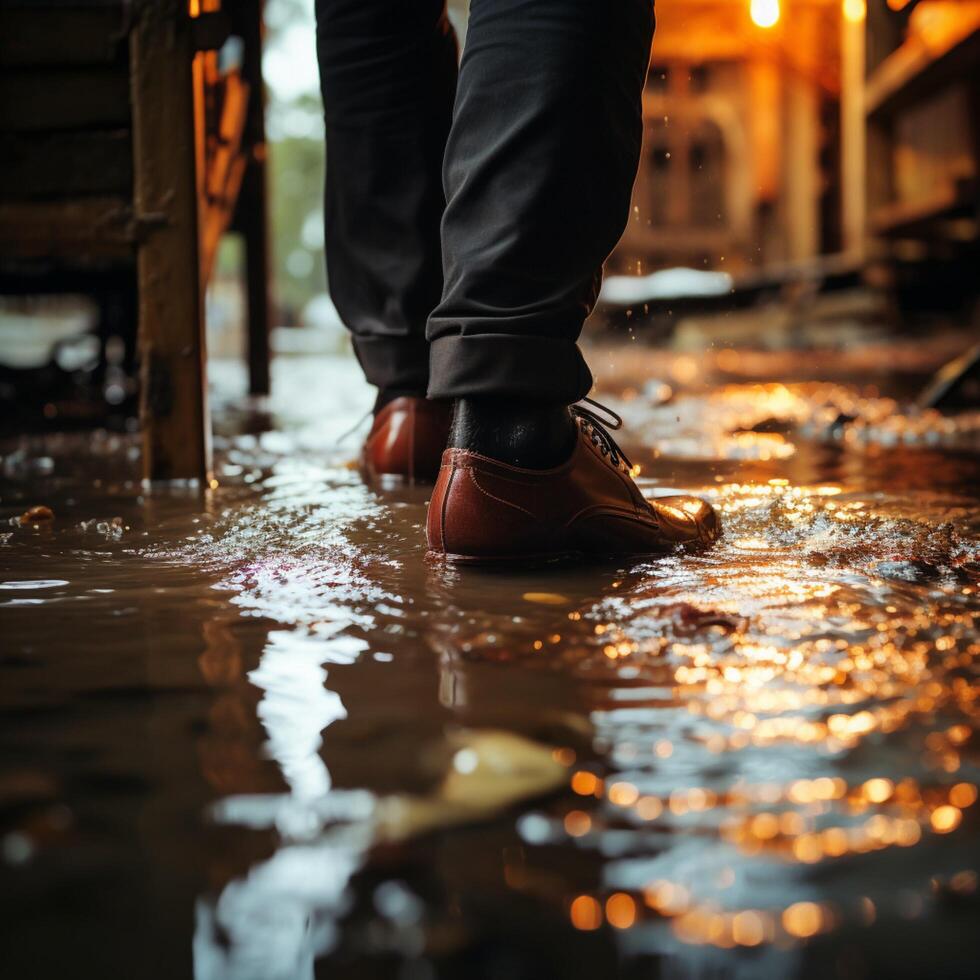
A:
x: 276, y: 920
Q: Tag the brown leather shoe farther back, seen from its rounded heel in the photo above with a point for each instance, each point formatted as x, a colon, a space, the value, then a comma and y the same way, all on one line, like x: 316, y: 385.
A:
x: 406, y: 441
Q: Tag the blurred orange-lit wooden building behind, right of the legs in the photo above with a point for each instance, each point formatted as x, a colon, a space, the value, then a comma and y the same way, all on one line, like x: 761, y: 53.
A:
x: 782, y: 130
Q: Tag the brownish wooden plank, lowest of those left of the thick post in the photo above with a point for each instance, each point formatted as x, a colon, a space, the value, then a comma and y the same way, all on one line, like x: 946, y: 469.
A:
x: 70, y: 230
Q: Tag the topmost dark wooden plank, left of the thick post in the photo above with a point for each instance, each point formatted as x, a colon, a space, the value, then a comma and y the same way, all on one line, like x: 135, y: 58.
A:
x: 38, y: 35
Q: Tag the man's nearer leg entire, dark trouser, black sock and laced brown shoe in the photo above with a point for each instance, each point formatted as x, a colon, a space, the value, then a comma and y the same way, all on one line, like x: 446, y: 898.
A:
x: 539, y: 168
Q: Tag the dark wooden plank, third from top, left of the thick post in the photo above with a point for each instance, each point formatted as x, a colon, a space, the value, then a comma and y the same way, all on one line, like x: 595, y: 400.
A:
x: 50, y: 165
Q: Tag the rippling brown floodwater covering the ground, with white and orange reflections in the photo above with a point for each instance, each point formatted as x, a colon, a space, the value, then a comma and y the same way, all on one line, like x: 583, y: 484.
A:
x: 251, y: 733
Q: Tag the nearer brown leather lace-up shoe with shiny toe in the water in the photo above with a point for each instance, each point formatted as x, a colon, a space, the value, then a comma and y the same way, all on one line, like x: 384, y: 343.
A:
x: 484, y: 512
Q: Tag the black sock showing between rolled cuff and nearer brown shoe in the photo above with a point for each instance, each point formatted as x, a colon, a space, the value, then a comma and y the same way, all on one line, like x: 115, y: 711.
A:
x: 534, y: 435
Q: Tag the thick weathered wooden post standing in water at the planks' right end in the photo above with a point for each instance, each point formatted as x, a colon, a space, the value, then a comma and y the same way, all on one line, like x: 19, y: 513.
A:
x: 167, y: 142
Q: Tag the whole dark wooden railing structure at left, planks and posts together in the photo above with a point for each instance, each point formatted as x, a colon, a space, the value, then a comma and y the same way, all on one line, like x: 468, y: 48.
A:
x: 131, y: 144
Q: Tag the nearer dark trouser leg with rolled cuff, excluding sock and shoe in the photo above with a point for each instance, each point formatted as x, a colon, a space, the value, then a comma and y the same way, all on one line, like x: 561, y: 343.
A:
x: 539, y: 170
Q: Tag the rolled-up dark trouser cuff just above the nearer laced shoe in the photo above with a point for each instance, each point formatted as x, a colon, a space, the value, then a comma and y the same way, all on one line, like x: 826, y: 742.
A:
x: 538, y: 368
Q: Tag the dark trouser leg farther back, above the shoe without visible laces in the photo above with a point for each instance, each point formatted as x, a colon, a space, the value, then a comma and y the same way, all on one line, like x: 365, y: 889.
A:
x: 388, y: 76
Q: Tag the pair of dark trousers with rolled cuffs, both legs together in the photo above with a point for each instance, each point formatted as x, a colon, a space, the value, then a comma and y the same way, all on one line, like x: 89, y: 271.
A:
x: 467, y: 219
